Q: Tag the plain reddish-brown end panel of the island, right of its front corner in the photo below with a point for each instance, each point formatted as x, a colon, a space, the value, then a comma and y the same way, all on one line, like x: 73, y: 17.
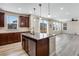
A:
x: 42, y: 47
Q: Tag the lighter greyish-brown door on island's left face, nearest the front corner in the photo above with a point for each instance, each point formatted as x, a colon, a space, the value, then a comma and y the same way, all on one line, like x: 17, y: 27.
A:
x: 31, y: 47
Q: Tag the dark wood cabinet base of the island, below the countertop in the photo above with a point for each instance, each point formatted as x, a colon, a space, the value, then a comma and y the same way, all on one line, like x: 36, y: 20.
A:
x: 35, y: 47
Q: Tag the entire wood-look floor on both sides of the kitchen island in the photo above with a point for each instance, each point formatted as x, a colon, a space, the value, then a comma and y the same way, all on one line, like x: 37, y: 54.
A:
x: 66, y: 45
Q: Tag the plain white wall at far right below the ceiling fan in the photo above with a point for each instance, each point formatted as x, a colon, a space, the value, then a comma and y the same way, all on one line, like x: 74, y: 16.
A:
x: 72, y: 27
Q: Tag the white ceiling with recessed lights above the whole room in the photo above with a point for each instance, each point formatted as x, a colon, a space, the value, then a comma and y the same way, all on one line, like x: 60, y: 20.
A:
x: 58, y: 11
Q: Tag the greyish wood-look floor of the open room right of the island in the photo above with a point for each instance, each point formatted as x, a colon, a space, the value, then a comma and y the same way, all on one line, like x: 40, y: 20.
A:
x: 67, y: 45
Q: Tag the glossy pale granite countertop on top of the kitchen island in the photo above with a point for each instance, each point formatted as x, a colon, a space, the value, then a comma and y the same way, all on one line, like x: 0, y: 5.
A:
x: 38, y: 36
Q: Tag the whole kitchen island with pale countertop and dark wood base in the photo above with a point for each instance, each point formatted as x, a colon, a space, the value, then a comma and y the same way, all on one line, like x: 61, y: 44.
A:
x: 38, y: 44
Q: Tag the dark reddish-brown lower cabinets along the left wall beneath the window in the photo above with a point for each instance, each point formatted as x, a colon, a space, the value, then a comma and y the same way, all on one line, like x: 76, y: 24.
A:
x: 7, y: 38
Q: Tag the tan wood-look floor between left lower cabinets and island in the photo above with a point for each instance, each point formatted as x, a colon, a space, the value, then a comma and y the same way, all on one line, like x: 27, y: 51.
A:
x: 14, y: 49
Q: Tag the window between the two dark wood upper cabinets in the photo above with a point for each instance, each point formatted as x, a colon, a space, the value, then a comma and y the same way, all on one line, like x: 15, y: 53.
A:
x: 12, y: 22
